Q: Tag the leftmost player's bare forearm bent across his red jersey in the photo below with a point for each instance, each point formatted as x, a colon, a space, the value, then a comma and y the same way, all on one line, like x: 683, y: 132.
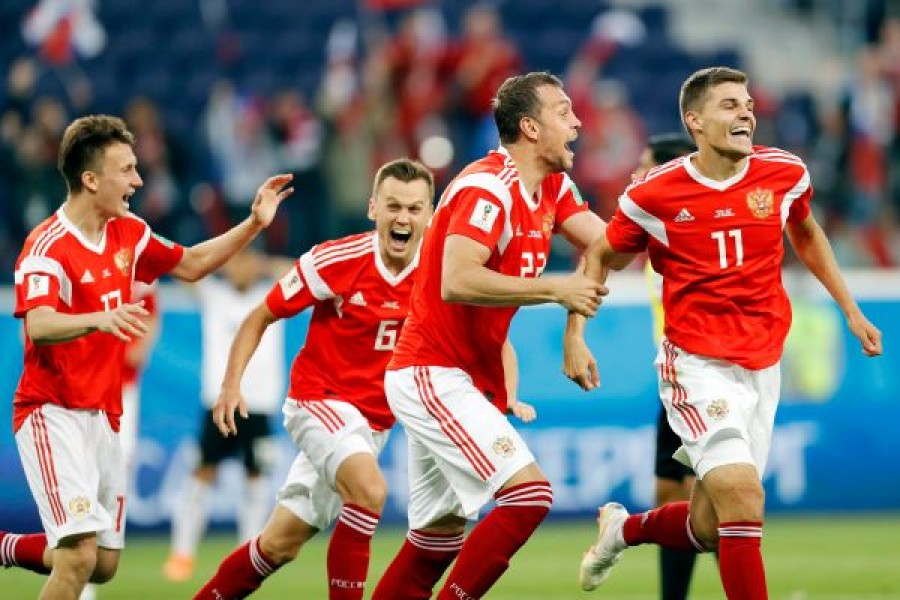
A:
x: 47, y: 326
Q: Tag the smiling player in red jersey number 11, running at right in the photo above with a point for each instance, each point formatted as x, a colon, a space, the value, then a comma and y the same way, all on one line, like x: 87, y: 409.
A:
x: 713, y: 225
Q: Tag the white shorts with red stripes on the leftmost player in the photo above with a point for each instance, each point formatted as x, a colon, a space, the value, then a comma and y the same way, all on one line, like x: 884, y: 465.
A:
x: 74, y: 467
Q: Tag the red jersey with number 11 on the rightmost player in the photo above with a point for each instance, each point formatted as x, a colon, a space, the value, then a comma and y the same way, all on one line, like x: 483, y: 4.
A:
x: 719, y: 247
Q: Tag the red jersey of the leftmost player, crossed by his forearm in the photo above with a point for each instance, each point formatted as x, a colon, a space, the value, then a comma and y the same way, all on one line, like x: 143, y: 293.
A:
x: 60, y: 268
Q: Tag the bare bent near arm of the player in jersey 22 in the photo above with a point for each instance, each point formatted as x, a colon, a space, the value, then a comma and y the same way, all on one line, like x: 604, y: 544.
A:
x: 465, y: 279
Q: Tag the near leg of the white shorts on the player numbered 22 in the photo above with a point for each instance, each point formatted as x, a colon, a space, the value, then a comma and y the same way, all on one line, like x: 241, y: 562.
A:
x: 473, y: 445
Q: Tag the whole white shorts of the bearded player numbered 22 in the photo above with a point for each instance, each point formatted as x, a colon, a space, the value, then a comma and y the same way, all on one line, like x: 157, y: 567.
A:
x: 461, y: 448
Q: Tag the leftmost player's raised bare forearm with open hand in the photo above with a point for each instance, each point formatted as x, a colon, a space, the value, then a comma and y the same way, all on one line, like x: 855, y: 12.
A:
x: 205, y: 257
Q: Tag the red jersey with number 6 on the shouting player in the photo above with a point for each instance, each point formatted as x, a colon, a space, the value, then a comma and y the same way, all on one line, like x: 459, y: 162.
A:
x: 358, y: 309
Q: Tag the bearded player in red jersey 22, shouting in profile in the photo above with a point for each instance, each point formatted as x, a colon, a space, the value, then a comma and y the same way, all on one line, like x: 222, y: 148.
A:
x: 481, y: 257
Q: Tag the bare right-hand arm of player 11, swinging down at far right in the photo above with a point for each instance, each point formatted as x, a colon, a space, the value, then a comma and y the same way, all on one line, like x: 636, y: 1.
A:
x: 813, y: 249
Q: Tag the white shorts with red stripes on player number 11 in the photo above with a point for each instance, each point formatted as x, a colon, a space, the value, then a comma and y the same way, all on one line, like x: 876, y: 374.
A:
x: 723, y: 413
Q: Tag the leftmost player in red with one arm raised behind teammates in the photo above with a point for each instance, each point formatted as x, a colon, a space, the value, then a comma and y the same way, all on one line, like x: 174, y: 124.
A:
x: 73, y: 285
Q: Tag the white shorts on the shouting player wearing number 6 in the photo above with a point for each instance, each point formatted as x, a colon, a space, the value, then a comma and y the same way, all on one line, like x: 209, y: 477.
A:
x: 327, y: 433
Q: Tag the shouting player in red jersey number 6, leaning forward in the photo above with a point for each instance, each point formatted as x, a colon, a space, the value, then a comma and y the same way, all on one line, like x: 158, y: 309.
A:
x: 336, y: 412
